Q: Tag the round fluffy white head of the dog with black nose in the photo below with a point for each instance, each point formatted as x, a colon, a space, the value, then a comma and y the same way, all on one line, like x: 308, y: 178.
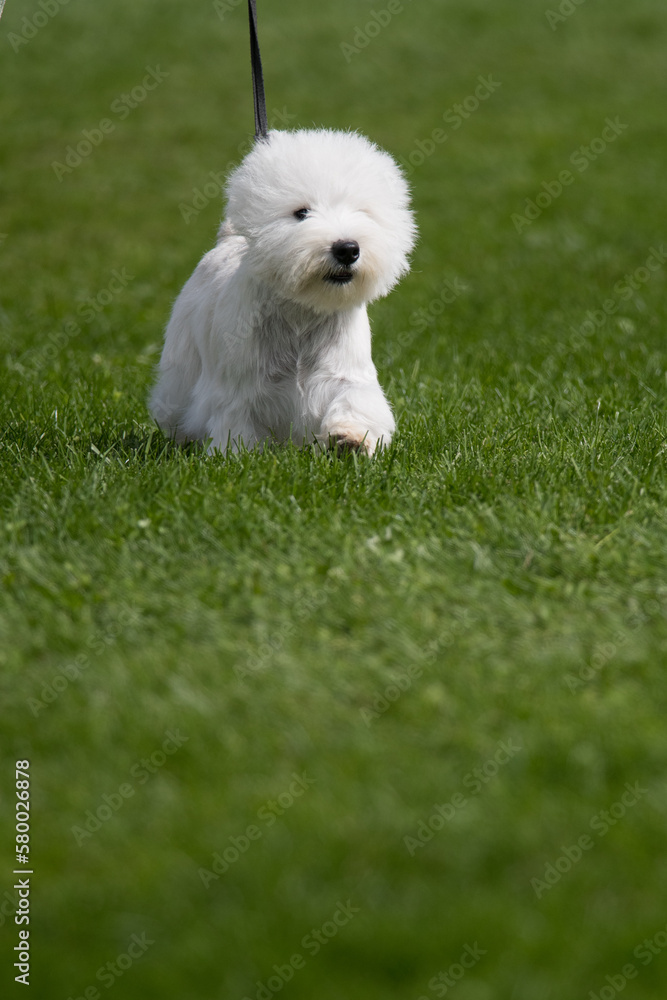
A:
x: 326, y: 216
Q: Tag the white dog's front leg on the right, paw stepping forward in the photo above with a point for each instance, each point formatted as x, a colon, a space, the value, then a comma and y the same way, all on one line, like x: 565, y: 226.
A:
x: 344, y: 390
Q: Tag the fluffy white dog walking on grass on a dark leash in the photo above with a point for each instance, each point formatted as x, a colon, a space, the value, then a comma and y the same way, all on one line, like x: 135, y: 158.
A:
x: 269, y: 340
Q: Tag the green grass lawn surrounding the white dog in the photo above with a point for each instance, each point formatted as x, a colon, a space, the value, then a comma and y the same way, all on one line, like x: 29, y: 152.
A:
x: 503, y: 562
